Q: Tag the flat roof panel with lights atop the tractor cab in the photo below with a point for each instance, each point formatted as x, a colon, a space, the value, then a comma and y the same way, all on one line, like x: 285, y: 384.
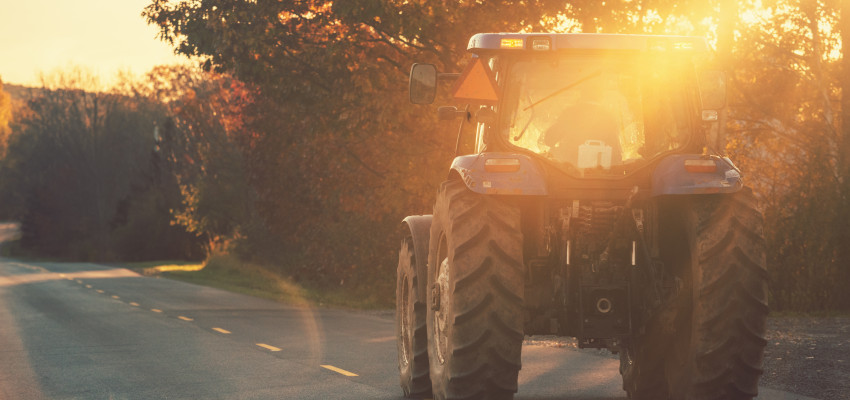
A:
x: 510, y: 42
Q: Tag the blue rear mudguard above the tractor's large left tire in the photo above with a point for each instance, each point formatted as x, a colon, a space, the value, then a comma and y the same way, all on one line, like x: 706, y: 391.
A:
x: 528, y: 179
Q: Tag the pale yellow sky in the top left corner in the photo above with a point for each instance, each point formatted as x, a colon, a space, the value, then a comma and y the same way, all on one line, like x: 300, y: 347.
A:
x: 103, y: 36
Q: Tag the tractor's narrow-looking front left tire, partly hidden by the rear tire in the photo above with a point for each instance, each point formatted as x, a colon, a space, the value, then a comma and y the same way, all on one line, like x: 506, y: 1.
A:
x: 411, y: 334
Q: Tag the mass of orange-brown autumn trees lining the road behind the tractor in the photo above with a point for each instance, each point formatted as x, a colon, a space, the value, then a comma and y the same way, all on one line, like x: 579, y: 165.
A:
x: 297, y: 147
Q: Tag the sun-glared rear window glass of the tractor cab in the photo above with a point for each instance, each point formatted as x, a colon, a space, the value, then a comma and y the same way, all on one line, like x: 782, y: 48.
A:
x: 597, y: 114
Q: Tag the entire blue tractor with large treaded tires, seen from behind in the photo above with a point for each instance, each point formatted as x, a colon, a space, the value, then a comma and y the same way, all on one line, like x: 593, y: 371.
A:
x: 593, y: 206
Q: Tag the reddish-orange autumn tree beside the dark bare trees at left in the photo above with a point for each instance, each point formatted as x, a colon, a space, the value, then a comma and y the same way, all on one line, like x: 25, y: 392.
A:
x: 199, y: 149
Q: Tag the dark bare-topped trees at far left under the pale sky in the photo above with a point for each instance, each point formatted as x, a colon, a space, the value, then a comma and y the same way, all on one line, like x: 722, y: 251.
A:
x: 79, y: 163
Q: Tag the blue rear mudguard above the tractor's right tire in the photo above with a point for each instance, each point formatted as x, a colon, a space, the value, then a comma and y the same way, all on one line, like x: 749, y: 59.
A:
x: 671, y: 177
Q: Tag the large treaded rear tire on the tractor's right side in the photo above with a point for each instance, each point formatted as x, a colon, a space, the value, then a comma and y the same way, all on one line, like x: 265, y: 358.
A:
x: 718, y: 341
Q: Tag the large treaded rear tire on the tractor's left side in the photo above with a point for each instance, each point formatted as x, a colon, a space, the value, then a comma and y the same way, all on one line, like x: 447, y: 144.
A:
x: 475, y: 297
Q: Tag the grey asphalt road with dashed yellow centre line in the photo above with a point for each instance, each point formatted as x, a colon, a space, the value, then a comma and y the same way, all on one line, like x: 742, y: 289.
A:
x: 84, y: 331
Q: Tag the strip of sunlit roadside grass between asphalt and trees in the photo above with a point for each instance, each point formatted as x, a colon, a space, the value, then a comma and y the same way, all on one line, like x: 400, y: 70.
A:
x: 229, y: 273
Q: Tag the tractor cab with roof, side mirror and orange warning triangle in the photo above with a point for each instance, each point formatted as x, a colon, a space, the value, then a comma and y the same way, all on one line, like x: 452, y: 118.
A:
x: 592, y: 105
